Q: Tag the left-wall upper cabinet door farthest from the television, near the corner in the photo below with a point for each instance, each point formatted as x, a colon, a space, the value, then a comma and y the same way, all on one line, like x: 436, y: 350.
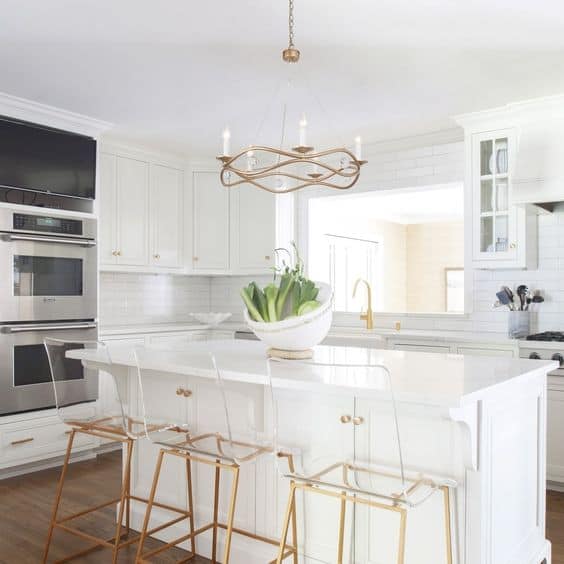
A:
x: 165, y: 216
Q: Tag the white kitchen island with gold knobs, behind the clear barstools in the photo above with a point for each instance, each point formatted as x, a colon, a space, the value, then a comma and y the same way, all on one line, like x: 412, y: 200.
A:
x: 478, y: 420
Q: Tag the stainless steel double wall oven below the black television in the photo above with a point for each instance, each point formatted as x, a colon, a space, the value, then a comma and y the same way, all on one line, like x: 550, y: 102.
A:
x: 48, y: 288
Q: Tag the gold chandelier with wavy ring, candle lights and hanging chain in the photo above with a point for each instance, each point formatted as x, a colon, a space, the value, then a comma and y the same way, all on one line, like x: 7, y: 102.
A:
x: 280, y: 170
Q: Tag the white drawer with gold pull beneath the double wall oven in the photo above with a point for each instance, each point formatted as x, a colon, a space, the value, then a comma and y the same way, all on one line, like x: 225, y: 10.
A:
x: 38, y: 438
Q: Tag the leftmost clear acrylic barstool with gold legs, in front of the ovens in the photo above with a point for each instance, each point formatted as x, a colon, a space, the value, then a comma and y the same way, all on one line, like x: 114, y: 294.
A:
x: 108, y: 421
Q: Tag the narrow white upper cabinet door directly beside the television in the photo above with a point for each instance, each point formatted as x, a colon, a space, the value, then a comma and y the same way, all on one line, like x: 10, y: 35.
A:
x: 107, y: 208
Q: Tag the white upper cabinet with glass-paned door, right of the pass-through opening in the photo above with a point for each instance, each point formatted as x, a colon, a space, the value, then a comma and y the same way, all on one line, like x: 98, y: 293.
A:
x: 503, y: 235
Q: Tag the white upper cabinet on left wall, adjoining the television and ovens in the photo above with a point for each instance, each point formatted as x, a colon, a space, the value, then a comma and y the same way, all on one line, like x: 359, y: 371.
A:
x: 140, y: 210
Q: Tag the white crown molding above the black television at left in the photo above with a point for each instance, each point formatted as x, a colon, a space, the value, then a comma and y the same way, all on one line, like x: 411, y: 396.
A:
x: 50, y: 116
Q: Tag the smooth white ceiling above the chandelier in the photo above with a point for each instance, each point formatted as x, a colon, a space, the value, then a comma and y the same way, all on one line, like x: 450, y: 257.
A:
x: 173, y: 73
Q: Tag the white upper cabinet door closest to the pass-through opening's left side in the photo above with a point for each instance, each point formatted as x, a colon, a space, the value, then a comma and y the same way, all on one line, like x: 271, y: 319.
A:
x: 253, y: 229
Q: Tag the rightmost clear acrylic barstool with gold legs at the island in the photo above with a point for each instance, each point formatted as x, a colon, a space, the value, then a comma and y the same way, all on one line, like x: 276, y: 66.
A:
x: 384, y: 484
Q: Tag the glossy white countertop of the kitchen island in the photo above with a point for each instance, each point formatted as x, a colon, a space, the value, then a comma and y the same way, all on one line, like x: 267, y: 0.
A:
x: 445, y: 380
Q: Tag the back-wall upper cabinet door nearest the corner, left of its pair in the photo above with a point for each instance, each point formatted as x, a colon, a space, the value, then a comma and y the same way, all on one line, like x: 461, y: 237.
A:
x: 211, y: 223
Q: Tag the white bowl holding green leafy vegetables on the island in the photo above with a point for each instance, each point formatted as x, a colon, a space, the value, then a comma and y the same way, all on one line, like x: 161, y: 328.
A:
x: 297, y: 333
